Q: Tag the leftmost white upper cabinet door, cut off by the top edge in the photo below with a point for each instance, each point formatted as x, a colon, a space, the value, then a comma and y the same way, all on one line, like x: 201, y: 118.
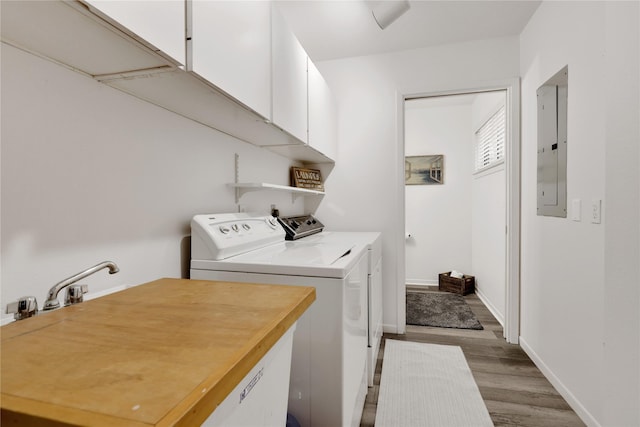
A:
x: 158, y: 22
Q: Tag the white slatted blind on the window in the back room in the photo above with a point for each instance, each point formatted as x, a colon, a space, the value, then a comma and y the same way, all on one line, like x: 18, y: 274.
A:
x: 490, y: 141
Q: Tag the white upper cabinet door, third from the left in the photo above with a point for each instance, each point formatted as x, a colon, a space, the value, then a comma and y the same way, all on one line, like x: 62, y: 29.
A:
x: 289, y: 80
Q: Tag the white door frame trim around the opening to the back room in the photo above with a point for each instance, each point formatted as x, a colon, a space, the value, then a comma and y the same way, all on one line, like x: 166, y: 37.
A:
x: 512, y: 168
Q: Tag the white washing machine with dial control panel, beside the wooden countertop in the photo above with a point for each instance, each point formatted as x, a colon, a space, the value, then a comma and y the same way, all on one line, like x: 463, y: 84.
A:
x: 328, y: 382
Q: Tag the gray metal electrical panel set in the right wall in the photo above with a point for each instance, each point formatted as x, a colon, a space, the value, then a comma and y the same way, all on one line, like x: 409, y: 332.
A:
x: 552, y: 145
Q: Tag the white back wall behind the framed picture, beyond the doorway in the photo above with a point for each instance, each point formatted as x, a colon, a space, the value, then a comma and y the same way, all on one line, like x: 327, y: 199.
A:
x: 438, y: 217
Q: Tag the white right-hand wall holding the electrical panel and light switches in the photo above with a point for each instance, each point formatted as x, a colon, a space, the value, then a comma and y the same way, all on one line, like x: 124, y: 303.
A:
x: 579, y: 289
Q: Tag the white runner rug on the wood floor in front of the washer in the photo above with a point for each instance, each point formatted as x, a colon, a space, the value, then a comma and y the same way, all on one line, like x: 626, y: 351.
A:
x: 428, y: 385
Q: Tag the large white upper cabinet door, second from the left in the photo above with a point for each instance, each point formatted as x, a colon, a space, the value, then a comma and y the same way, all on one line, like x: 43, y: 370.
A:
x: 231, y: 48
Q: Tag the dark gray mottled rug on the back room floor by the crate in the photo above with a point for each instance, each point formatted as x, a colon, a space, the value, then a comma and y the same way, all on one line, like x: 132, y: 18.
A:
x: 443, y: 310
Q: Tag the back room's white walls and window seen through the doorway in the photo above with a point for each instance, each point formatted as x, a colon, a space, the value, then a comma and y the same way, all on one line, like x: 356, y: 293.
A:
x: 457, y: 223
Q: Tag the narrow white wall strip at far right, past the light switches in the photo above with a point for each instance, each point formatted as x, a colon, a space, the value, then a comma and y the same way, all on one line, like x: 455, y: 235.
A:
x: 622, y: 221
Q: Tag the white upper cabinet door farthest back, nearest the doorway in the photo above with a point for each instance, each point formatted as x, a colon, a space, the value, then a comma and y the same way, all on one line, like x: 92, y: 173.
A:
x: 322, y: 114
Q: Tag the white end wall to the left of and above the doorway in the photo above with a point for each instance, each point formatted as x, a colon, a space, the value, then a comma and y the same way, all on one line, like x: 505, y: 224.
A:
x: 363, y: 191
